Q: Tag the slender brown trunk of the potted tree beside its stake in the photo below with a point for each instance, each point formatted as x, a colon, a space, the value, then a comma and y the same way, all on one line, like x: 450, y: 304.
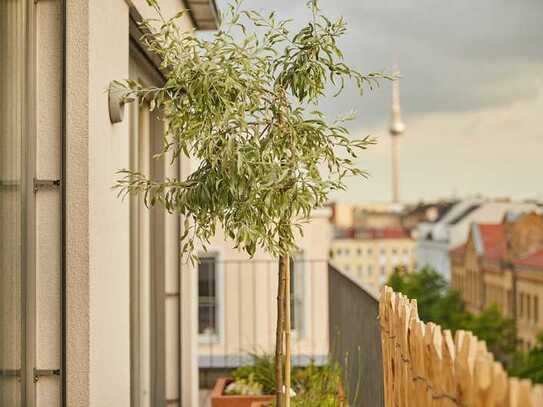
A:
x: 279, y: 336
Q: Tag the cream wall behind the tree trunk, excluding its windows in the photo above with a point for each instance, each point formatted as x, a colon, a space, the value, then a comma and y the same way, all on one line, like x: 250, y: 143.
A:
x: 247, y: 299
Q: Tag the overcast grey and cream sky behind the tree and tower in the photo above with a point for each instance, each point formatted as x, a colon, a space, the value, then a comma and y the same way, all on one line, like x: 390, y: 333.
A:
x: 472, y: 93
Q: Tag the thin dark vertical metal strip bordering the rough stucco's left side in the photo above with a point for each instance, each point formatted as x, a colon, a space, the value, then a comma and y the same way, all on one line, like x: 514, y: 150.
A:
x: 63, y: 398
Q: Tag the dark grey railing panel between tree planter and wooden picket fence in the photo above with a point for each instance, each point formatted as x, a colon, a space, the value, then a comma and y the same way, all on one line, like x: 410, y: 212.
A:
x: 355, y: 339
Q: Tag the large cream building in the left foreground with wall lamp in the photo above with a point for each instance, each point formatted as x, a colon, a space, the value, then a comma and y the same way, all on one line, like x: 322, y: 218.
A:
x: 97, y: 309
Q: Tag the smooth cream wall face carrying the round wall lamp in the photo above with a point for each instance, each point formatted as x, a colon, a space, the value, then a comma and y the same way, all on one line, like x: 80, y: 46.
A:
x: 109, y: 278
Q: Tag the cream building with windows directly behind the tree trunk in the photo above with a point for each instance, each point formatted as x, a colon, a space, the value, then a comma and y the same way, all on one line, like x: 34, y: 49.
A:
x: 237, y: 300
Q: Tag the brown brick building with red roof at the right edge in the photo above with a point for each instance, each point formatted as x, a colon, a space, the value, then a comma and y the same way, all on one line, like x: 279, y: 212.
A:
x: 502, y: 264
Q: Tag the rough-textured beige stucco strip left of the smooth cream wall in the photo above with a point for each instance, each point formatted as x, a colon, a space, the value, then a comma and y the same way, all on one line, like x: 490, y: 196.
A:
x: 77, y: 207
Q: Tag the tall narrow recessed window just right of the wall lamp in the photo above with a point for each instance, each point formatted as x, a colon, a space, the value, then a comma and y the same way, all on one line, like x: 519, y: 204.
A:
x: 147, y: 255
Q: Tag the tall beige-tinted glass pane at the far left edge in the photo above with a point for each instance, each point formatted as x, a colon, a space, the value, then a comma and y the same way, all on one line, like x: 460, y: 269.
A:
x: 12, y: 41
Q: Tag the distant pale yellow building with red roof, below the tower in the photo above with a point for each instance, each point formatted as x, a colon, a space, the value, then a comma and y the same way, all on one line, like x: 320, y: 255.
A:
x: 370, y: 260
